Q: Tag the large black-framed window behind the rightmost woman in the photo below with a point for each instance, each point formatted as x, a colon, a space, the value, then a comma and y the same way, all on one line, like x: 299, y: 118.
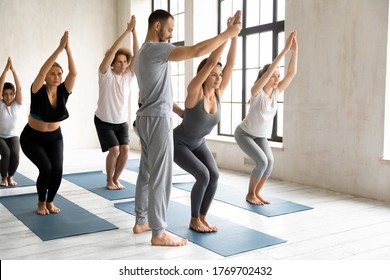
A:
x: 260, y: 40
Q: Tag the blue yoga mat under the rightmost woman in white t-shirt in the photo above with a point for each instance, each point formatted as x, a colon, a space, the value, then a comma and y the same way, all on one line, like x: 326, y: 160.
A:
x: 236, y: 197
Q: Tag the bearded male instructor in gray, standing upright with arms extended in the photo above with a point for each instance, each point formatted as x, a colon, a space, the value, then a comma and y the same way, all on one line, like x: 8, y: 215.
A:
x: 154, y: 123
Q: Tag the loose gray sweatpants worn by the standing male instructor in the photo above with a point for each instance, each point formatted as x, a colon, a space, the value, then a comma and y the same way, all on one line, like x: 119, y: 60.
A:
x: 155, y: 175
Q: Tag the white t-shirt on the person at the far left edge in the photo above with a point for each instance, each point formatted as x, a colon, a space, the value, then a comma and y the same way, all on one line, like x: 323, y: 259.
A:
x: 9, y: 119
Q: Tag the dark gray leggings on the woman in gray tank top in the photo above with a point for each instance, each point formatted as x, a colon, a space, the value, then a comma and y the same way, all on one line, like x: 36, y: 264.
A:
x: 199, y: 163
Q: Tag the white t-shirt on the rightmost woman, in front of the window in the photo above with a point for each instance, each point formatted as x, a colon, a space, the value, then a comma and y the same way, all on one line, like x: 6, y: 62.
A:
x: 263, y: 109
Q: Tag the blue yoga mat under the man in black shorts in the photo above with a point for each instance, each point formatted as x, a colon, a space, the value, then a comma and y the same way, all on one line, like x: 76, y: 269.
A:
x: 95, y: 181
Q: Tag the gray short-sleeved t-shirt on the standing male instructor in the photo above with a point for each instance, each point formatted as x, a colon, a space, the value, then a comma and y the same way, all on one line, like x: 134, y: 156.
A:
x: 153, y: 73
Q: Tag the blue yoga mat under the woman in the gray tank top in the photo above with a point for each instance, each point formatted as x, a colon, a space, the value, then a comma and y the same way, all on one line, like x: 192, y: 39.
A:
x: 230, y: 239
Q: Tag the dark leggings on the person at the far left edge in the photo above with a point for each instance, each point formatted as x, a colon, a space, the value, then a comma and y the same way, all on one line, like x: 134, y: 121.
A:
x: 9, y: 150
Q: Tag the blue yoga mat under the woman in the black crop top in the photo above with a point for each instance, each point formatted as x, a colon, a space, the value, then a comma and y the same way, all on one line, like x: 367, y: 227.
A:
x: 73, y: 219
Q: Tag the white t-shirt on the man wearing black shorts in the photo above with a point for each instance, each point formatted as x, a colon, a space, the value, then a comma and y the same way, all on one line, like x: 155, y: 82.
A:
x: 114, y: 92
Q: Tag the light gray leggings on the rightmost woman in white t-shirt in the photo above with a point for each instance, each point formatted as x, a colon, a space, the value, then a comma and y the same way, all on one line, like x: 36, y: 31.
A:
x: 258, y: 149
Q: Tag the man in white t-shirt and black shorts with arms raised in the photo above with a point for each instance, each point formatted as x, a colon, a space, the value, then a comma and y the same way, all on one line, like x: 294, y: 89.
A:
x: 116, y: 73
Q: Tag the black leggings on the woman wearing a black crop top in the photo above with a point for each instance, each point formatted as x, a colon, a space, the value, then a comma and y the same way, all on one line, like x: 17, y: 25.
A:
x: 45, y: 150
